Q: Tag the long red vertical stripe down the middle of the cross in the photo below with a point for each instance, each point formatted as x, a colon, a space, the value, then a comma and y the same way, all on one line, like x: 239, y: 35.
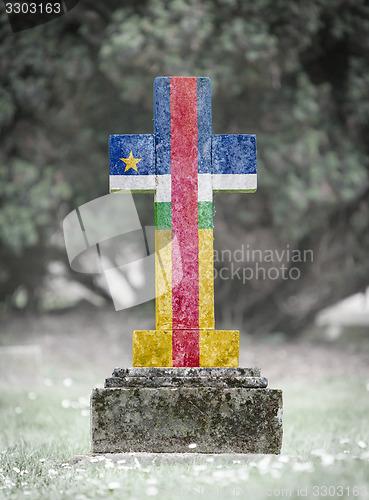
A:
x: 185, y: 296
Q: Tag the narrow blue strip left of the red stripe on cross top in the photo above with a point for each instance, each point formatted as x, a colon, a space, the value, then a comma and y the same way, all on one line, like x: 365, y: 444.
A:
x: 162, y: 124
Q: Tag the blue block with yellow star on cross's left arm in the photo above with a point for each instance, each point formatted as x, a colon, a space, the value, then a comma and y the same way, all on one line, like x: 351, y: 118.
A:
x: 141, y: 145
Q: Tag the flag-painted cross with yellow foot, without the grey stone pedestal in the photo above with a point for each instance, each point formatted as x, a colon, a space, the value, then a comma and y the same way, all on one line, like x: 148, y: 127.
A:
x: 183, y: 163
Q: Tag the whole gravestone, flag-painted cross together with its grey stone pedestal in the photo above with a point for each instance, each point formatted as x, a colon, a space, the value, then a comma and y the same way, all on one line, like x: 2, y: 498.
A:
x: 185, y: 385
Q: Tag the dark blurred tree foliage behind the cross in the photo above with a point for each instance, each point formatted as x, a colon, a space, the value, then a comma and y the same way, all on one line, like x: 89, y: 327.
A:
x: 294, y: 73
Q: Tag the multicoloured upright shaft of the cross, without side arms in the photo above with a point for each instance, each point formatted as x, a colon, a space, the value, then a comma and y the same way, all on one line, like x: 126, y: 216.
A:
x: 183, y: 139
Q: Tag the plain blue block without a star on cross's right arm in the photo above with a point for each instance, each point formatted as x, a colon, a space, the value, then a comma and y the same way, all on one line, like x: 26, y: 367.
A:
x: 234, y: 154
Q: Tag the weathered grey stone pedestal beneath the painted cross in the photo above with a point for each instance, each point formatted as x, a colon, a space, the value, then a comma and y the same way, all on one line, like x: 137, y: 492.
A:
x: 221, y: 410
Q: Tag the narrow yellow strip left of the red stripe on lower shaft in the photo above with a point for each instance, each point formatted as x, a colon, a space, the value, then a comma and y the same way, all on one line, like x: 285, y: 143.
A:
x: 163, y: 279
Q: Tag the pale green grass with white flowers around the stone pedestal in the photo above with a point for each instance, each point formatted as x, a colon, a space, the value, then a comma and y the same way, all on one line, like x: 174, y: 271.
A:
x: 323, y: 424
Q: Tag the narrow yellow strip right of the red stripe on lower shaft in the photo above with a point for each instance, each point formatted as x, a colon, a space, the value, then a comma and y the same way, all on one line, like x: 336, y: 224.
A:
x: 206, y: 279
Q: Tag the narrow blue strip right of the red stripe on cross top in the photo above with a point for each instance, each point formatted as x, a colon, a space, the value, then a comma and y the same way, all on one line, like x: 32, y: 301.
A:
x: 204, y: 125
